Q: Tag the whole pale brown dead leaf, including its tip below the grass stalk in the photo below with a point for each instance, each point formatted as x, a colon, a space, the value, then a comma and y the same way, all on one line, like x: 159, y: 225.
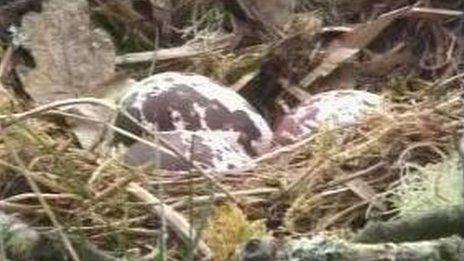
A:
x: 73, y: 60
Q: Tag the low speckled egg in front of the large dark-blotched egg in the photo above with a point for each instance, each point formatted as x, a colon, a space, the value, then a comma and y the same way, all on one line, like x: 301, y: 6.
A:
x: 215, y: 151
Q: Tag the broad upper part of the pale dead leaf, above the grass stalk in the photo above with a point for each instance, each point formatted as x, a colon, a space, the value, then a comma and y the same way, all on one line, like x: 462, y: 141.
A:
x: 71, y: 58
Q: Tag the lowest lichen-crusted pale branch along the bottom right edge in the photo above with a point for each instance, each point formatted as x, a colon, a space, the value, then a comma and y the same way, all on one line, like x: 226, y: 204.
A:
x: 329, y: 248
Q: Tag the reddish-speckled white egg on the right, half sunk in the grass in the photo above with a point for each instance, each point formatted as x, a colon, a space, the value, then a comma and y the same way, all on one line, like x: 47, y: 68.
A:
x: 329, y: 109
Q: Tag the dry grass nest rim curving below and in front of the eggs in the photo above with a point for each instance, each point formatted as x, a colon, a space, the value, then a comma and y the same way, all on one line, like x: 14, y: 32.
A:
x: 333, y: 179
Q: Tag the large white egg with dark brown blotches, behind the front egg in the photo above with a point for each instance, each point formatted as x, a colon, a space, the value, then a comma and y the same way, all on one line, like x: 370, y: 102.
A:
x: 185, y: 101
